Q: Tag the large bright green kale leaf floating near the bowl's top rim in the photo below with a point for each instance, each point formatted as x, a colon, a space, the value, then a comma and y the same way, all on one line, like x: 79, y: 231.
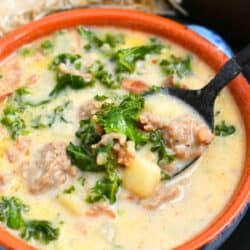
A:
x: 126, y: 58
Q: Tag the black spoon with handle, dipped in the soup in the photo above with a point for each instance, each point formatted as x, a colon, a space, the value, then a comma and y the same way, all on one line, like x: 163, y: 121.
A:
x: 202, y: 100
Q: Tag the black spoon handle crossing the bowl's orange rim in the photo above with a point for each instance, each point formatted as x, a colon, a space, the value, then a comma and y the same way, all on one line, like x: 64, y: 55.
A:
x: 228, y: 72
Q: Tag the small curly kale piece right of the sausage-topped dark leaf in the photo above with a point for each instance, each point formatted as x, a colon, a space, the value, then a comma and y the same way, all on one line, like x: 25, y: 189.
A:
x: 103, y: 76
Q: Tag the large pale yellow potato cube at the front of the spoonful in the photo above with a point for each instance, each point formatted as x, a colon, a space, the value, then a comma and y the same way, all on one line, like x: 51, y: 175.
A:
x: 141, y: 177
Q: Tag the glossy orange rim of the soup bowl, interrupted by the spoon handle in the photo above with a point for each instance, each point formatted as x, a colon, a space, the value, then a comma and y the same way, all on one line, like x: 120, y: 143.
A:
x: 179, y: 34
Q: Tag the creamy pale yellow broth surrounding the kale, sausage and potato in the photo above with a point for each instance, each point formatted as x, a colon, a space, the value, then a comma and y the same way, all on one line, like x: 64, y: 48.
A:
x: 204, y: 190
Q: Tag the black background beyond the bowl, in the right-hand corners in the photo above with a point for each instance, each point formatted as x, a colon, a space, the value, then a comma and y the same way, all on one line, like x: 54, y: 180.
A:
x: 231, y: 20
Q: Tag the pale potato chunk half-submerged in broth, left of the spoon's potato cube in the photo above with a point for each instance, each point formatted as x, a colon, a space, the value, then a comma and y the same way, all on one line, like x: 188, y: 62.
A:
x: 72, y: 203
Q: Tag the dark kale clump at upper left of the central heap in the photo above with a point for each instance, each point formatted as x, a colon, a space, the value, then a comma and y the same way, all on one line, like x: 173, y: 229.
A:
x: 87, y: 132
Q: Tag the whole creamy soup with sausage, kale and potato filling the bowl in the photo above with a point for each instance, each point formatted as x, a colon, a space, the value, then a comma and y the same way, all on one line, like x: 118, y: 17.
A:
x: 90, y: 144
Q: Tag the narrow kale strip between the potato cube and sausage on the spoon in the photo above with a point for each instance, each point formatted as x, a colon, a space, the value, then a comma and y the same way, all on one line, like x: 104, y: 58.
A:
x: 159, y: 147
